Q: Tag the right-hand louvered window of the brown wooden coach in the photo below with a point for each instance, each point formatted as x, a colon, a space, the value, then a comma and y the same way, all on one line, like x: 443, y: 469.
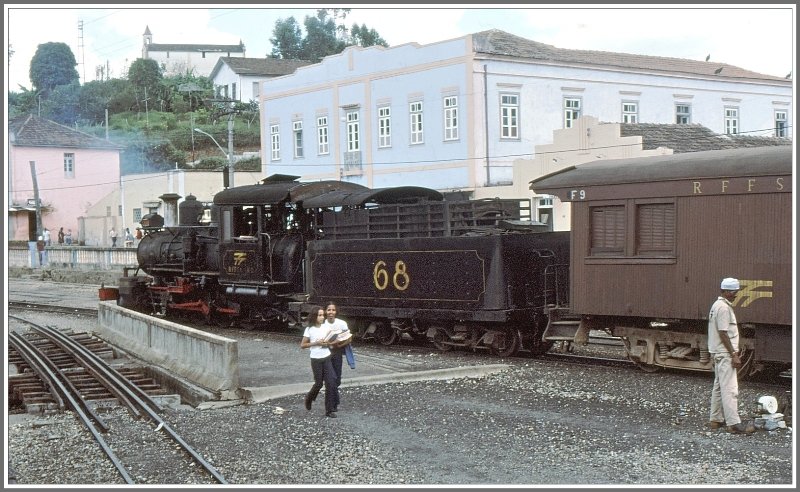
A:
x: 655, y: 229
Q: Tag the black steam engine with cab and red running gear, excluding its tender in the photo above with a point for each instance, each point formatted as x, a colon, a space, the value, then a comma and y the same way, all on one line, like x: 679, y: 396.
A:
x: 242, y: 261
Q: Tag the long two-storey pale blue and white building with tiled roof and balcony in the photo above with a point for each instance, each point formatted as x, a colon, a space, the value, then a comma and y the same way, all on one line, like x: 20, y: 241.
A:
x: 456, y: 114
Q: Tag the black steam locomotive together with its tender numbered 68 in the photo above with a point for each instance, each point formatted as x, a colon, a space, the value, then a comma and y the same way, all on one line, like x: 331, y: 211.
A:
x: 398, y: 261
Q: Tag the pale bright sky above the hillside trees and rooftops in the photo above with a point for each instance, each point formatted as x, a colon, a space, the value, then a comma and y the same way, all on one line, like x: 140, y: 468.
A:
x: 756, y: 37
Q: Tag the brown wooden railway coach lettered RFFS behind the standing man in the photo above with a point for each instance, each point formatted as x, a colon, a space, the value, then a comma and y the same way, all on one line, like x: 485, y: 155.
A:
x: 652, y: 237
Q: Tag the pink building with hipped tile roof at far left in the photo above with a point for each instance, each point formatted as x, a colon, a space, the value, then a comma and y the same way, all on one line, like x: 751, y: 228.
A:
x: 73, y: 170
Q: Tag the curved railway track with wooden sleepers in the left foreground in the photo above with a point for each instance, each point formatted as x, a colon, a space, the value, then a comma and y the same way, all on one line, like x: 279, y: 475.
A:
x: 70, y: 393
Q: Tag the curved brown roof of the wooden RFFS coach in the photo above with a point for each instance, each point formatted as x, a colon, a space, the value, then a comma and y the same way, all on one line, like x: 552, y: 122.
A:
x: 756, y: 161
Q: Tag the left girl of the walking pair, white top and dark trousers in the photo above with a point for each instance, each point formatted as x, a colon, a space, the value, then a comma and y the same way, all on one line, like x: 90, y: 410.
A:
x: 321, y: 366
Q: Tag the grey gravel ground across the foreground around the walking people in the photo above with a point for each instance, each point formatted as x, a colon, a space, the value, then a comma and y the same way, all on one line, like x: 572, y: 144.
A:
x: 539, y: 422
